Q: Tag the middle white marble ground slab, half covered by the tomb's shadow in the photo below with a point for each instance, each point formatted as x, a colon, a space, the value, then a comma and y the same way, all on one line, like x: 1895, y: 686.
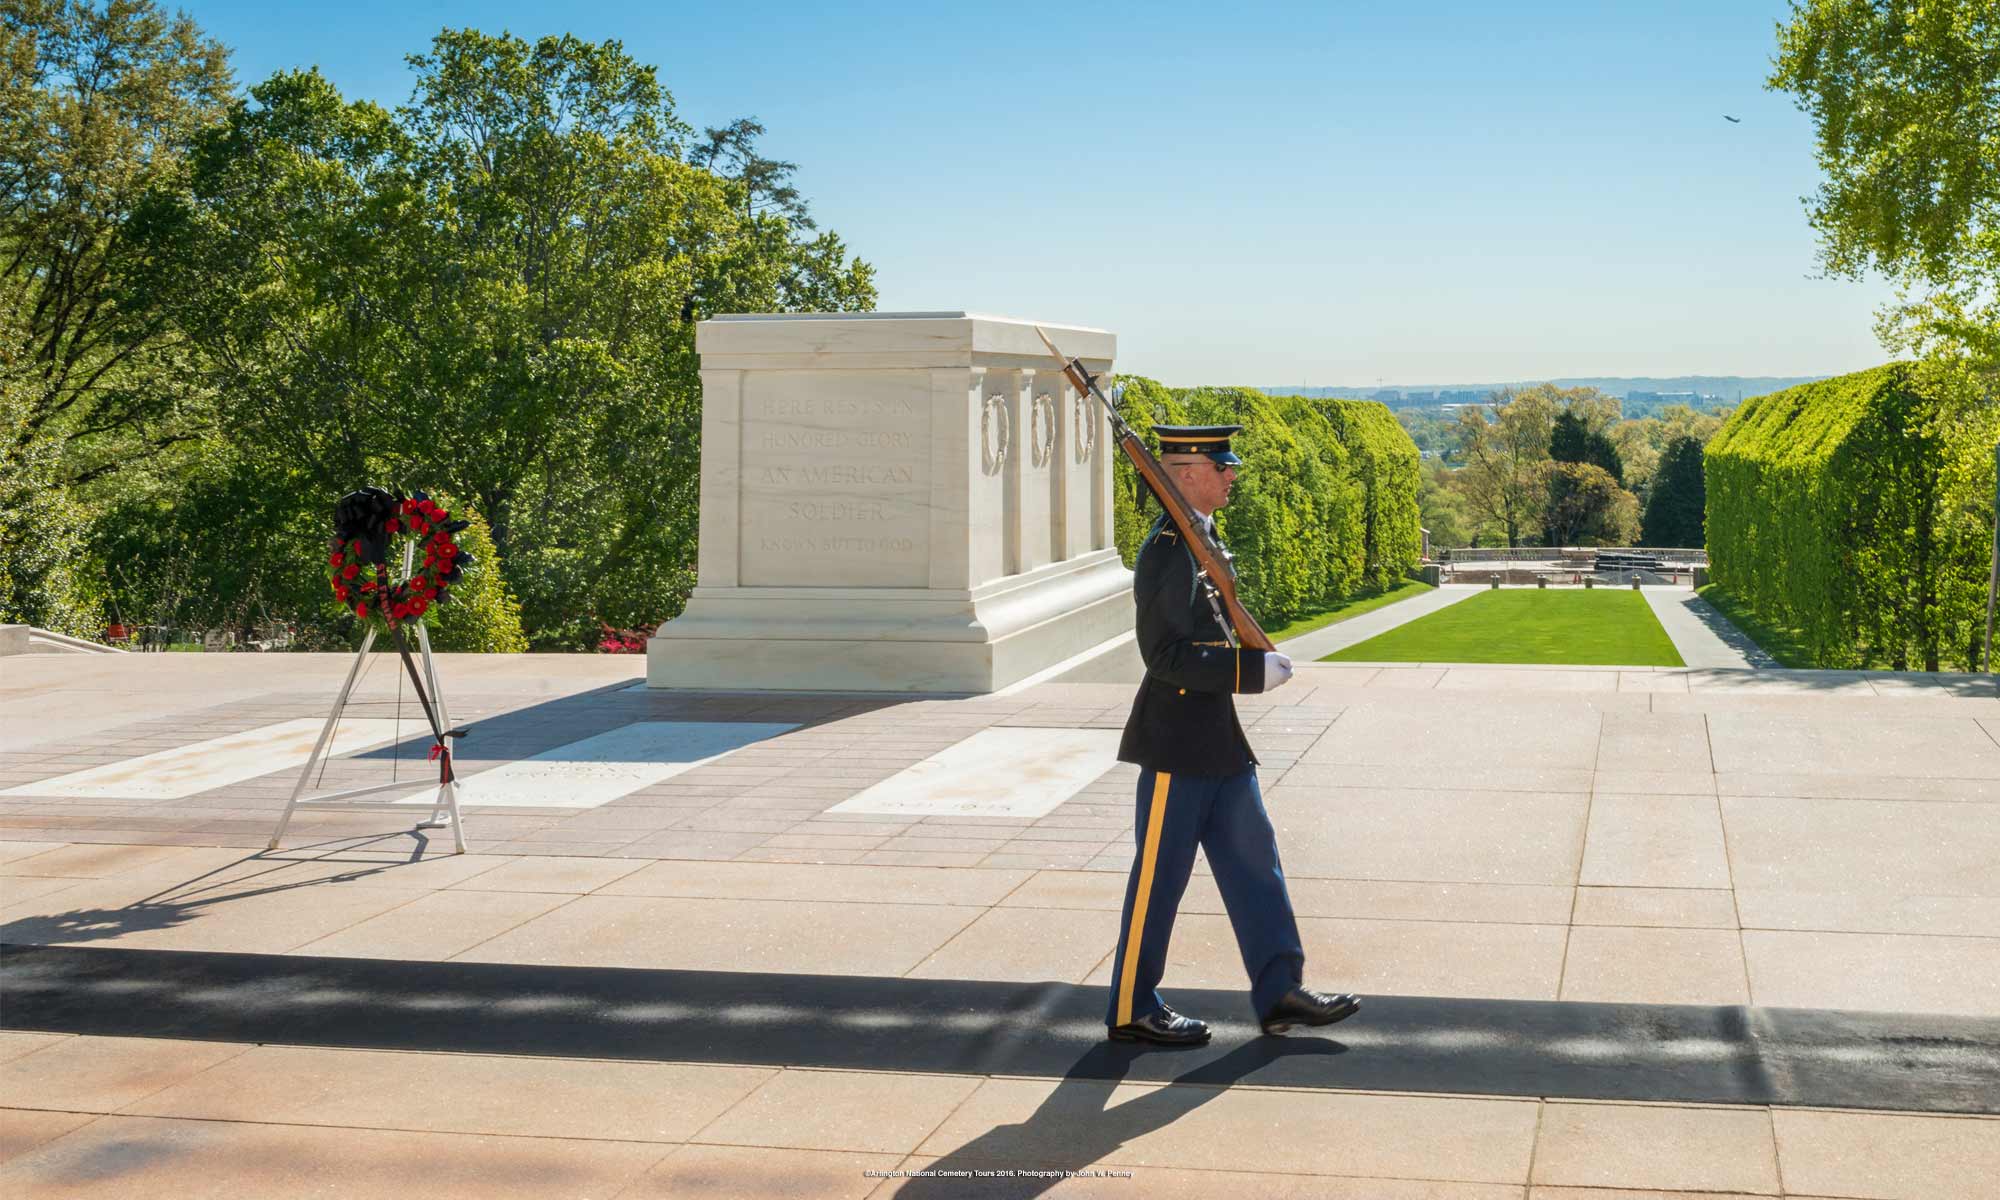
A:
x: 605, y: 767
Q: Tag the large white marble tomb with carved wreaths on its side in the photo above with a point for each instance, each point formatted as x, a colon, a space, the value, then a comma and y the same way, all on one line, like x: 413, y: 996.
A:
x: 895, y: 503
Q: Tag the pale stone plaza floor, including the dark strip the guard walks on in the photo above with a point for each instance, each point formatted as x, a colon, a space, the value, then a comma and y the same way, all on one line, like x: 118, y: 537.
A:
x: 1597, y: 959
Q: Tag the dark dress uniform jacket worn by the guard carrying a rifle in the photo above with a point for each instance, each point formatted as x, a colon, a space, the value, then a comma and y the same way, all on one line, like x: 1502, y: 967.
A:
x: 1185, y: 719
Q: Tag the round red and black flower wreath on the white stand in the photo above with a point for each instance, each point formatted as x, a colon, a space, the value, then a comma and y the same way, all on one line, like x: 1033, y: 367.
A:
x: 359, y: 563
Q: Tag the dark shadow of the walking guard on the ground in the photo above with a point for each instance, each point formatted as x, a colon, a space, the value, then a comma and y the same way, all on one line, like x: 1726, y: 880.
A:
x: 1077, y: 1125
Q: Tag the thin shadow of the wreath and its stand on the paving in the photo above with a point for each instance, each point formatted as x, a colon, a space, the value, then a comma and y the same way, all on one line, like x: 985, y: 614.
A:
x: 177, y: 905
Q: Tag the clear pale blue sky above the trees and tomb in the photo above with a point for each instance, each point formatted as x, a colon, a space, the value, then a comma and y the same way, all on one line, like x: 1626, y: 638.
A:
x: 1319, y: 193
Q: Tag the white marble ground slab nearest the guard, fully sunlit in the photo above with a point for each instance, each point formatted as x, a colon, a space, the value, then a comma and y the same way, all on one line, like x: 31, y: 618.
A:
x: 995, y: 773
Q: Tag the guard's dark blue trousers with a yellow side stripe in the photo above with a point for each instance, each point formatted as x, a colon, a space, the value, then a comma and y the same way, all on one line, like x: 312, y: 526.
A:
x: 1225, y: 817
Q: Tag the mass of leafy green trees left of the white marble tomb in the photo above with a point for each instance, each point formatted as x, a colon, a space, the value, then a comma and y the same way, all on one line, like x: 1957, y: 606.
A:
x: 281, y: 295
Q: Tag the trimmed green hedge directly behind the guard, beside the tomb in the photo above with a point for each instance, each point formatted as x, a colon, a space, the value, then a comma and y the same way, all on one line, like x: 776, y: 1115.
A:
x: 1323, y: 509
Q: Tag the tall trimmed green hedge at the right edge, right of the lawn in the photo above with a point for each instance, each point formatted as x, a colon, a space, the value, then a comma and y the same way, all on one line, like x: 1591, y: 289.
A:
x: 1859, y: 513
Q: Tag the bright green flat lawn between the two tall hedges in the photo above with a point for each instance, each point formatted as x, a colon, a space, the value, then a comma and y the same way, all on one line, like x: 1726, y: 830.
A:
x: 1529, y: 625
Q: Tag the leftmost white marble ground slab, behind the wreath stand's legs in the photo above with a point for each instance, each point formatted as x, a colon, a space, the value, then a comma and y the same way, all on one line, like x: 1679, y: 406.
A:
x: 233, y: 759
